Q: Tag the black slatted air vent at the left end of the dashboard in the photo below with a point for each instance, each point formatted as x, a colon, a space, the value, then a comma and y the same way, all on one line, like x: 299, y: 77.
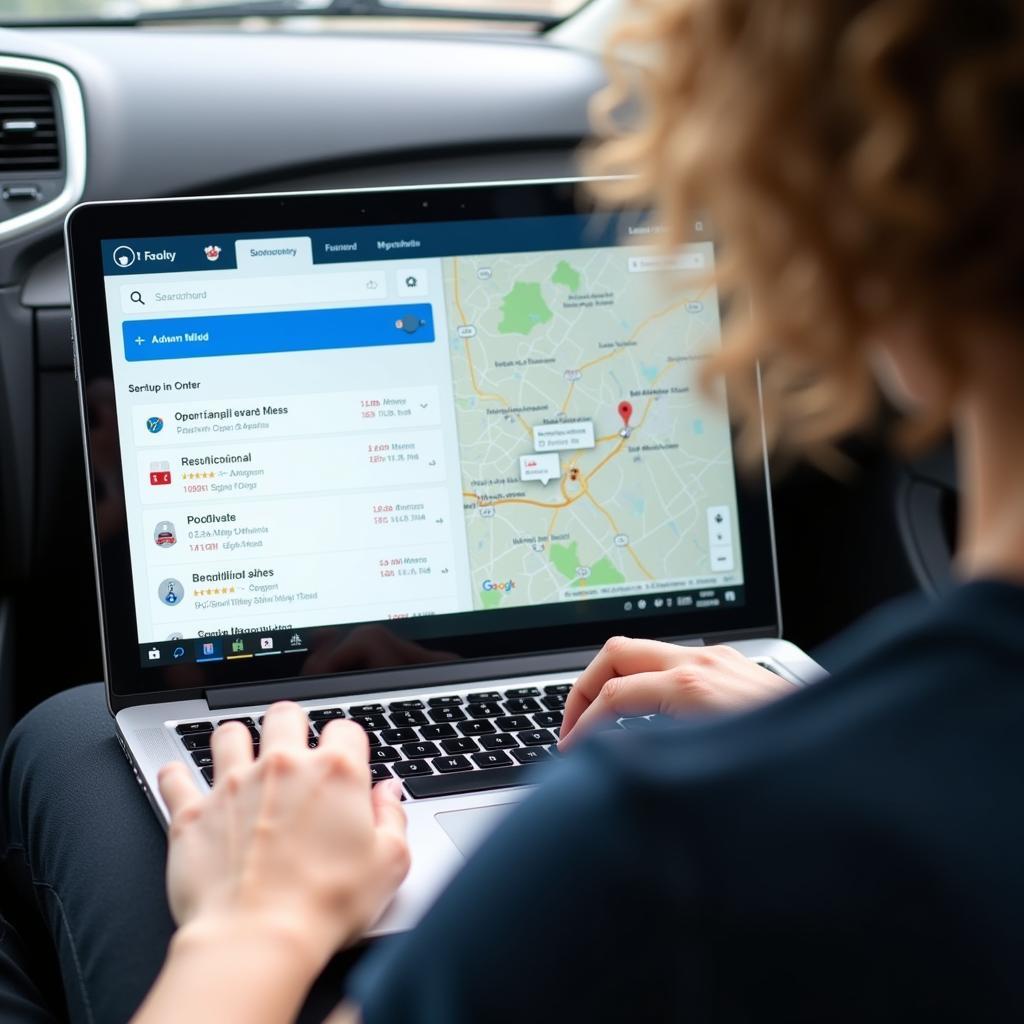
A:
x: 28, y: 125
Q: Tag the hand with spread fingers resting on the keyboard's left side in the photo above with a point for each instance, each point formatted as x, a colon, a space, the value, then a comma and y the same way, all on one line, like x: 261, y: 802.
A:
x: 294, y: 845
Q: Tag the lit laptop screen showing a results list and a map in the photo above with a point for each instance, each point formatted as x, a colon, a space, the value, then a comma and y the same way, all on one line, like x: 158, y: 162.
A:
x: 339, y: 426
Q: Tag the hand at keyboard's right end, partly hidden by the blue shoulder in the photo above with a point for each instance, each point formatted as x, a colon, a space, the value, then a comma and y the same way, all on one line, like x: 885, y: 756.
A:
x: 642, y: 677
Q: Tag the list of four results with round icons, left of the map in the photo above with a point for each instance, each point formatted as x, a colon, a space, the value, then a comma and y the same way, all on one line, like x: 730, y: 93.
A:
x: 306, y: 508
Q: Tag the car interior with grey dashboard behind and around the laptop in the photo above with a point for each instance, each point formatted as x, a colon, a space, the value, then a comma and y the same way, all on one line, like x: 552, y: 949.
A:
x: 102, y: 100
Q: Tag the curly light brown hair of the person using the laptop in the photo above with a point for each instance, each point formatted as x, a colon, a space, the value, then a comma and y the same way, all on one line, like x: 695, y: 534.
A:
x: 863, y: 162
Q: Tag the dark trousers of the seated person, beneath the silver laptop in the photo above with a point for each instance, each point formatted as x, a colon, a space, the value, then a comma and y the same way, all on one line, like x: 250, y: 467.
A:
x: 84, y: 922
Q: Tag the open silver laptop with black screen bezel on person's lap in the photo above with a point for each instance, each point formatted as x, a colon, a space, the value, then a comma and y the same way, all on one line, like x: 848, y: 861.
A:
x: 406, y: 456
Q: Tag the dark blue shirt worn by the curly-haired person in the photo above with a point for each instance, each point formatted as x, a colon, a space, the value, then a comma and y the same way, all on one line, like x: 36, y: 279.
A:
x: 854, y: 852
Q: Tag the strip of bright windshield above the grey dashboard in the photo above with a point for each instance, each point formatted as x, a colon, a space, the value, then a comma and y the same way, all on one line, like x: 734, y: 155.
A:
x: 541, y: 12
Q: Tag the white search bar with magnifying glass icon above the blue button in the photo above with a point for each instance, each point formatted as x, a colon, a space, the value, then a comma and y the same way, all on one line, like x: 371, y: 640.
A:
x: 189, y: 296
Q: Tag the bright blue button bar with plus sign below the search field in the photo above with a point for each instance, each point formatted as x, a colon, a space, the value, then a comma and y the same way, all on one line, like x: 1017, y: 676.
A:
x: 292, y: 331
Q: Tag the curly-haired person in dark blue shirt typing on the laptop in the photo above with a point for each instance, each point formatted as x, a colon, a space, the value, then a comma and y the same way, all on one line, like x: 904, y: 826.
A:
x: 847, y: 852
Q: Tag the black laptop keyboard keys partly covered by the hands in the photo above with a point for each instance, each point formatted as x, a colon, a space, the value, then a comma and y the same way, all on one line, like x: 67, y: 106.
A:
x: 438, y: 746
